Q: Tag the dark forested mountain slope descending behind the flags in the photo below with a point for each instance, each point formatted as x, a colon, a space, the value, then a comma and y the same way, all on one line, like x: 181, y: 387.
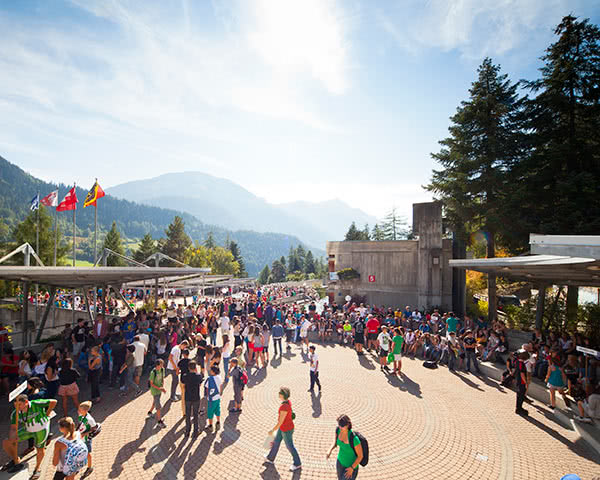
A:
x: 134, y: 220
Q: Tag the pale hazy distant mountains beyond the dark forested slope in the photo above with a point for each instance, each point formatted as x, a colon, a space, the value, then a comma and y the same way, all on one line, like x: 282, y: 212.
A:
x: 219, y: 201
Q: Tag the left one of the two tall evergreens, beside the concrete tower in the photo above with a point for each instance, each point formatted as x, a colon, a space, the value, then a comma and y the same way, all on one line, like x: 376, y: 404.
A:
x: 484, y: 143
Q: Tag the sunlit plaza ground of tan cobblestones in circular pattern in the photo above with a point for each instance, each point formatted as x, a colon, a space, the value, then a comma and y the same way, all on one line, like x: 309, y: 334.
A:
x: 428, y: 424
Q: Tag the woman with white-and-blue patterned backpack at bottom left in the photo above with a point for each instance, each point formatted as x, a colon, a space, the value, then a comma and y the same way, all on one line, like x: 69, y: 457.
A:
x: 70, y: 452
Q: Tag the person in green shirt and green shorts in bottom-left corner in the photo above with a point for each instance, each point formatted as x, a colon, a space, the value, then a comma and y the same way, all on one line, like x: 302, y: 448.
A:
x: 34, y: 422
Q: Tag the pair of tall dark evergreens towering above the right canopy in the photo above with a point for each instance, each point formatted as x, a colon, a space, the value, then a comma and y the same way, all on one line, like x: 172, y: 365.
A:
x: 523, y: 156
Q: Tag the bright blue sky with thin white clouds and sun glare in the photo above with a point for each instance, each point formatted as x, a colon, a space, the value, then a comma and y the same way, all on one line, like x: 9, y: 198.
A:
x: 294, y: 100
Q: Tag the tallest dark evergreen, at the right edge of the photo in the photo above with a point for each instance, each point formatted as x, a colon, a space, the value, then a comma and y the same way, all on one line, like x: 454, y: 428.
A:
x: 556, y: 187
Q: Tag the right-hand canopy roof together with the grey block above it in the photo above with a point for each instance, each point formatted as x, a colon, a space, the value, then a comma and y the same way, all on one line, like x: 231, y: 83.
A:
x: 573, y: 260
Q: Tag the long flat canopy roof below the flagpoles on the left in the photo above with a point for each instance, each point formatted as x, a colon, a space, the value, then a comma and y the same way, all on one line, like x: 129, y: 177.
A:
x: 75, y: 277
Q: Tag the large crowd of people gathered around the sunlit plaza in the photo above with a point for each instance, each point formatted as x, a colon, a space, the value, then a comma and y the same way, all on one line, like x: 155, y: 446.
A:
x: 212, y: 343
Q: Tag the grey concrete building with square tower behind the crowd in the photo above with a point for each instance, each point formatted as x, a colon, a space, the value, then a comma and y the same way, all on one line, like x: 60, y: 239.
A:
x: 397, y: 273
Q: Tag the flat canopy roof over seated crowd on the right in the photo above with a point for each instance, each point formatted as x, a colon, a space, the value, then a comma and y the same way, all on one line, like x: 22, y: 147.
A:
x: 547, y: 269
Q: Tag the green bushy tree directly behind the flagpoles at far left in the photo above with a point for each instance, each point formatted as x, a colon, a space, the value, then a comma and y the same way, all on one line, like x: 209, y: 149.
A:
x: 25, y: 232
